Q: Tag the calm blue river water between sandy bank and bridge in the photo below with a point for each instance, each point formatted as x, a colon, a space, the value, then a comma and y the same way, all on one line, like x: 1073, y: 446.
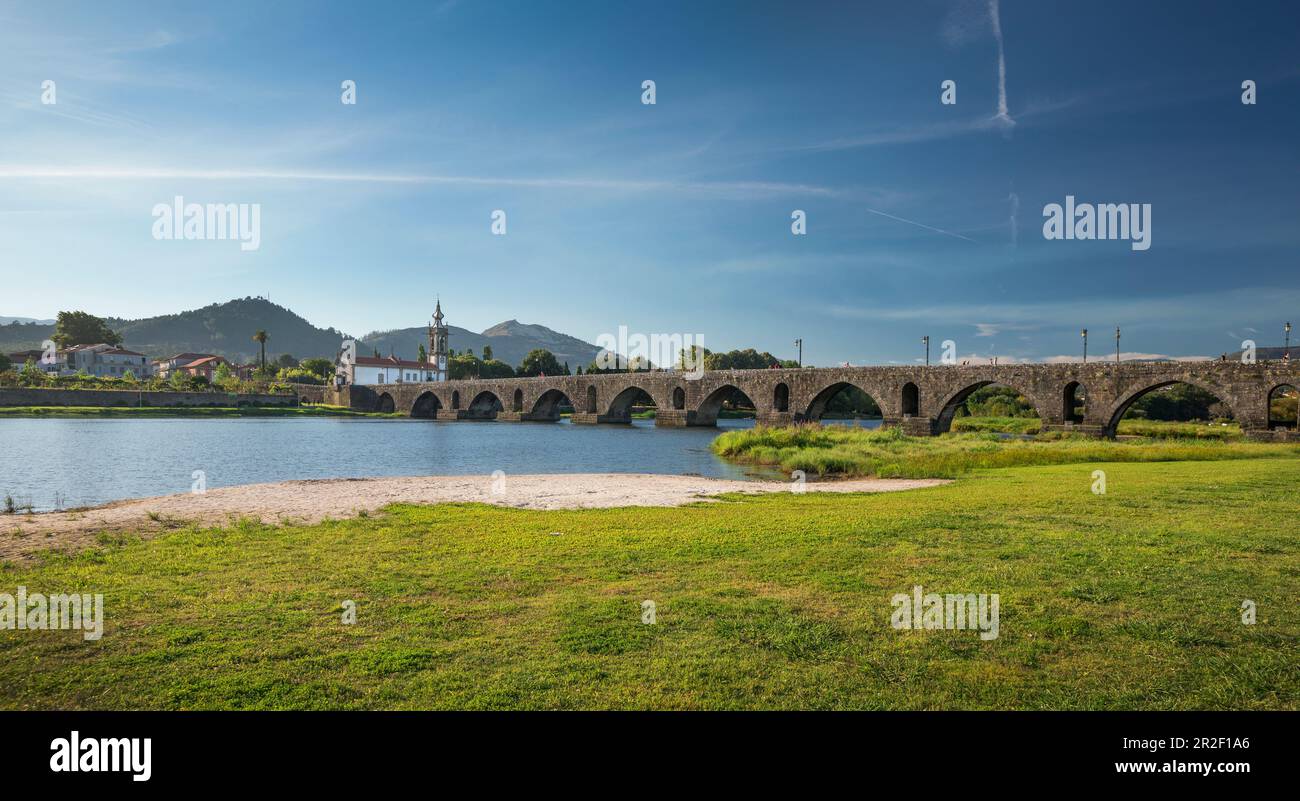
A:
x: 63, y: 464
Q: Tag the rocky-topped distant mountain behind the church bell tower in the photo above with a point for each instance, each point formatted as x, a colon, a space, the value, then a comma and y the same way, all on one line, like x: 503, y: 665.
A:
x: 510, y: 343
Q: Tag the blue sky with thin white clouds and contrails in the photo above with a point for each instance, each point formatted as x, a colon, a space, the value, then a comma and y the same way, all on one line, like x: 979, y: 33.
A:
x: 675, y: 218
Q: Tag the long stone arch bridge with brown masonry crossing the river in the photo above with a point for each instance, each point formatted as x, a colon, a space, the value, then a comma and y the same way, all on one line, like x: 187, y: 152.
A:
x: 921, y: 400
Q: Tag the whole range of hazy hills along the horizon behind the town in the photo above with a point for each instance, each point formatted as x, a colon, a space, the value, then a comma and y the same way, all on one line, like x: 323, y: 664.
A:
x: 227, y: 330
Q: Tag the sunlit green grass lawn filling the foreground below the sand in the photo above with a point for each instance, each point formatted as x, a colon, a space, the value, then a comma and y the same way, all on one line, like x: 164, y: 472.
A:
x: 1129, y: 600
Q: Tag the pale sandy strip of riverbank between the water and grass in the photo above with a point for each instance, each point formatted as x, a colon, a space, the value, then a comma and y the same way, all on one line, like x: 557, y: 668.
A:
x: 333, y: 499
